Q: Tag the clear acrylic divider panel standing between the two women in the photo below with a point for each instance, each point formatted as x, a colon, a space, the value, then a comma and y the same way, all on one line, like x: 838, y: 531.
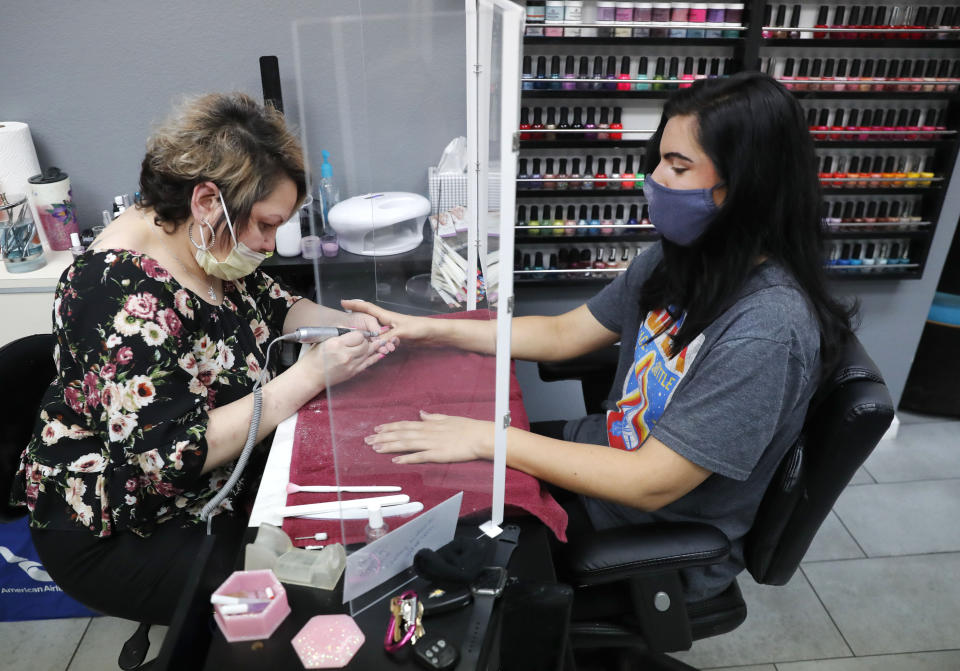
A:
x: 408, y: 236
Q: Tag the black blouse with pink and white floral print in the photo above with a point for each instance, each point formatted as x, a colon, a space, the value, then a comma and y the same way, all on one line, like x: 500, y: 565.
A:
x: 120, y: 440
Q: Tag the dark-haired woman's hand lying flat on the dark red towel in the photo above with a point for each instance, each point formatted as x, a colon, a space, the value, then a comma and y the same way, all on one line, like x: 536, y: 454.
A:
x: 435, y: 438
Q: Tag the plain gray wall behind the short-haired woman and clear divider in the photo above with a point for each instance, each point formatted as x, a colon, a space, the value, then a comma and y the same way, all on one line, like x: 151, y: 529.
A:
x: 90, y: 78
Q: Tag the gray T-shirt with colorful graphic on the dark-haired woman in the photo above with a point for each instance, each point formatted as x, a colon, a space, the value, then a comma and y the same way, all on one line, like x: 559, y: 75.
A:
x: 733, y: 401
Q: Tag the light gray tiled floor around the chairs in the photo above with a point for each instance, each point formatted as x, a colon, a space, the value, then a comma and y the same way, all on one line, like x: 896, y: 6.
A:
x: 878, y: 590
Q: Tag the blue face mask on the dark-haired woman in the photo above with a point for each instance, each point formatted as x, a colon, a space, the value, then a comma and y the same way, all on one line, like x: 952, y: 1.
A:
x: 679, y: 215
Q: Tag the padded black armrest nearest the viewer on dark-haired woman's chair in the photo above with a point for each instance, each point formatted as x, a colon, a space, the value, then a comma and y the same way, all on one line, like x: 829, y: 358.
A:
x: 643, y: 549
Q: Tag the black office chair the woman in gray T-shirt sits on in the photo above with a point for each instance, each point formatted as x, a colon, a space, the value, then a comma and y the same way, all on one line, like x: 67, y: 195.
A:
x: 628, y: 593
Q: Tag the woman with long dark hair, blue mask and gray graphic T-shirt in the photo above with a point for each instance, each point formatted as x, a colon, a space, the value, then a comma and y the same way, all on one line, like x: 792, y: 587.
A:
x: 725, y: 325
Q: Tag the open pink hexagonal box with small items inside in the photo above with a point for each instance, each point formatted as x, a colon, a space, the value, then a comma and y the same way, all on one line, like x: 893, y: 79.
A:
x: 250, y: 605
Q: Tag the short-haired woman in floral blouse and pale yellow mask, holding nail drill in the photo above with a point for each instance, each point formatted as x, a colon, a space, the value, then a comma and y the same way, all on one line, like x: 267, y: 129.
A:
x: 161, y: 332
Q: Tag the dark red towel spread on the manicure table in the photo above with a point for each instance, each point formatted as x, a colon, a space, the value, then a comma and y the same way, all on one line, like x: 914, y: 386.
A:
x: 445, y: 381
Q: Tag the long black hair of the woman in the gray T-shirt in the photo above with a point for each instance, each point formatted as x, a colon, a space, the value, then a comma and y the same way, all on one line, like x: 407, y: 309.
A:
x: 755, y: 133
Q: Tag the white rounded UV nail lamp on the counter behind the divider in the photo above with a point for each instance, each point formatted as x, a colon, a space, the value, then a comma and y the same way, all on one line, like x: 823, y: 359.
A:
x: 380, y: 224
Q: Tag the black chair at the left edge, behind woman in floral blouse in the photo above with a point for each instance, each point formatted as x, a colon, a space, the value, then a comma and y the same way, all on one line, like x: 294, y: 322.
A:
x: 27, y: 368
